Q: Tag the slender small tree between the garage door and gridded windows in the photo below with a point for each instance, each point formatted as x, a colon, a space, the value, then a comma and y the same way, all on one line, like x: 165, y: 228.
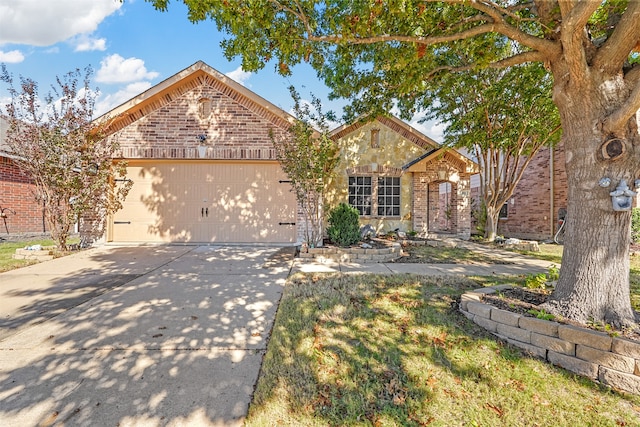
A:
x: 308, y: 157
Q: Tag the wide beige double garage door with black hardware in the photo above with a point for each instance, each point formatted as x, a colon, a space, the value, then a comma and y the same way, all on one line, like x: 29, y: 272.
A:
x: 206, y: 202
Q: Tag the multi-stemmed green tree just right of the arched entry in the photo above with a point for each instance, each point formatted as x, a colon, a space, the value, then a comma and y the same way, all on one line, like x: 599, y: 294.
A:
x: 503, y: 117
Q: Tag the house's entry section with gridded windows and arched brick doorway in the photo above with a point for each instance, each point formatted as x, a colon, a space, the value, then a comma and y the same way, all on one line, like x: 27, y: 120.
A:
x: 392, y: 174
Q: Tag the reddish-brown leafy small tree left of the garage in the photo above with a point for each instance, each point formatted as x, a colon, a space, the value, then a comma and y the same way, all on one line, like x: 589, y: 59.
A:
x: 56, y: 143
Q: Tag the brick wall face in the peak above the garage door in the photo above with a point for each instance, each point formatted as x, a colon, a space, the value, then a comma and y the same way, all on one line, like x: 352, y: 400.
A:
x: 236, y: 127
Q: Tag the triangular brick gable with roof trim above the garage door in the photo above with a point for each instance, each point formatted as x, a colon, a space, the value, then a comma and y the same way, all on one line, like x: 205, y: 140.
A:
x: 170, y: 119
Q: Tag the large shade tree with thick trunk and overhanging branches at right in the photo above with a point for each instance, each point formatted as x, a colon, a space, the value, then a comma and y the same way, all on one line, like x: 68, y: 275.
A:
x: 383, y: 53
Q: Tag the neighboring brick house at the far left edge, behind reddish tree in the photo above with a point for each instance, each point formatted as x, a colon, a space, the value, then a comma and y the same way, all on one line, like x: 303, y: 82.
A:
x: 19, y: 211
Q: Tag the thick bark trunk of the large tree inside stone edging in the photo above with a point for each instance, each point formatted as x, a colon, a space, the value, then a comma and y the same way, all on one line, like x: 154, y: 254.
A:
x: 594, y: 278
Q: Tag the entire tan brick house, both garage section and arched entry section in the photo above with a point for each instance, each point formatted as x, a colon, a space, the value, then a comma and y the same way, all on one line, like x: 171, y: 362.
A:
x: 204, y: 169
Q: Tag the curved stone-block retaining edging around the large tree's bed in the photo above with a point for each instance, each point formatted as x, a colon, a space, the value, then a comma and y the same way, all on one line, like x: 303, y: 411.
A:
x: 610, y: 360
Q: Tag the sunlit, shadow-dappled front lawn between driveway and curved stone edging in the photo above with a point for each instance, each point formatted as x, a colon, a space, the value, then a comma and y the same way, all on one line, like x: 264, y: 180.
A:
x: 370, y: 350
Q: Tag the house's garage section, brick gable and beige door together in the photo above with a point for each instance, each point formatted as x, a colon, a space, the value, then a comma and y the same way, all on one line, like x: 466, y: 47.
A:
x: 201, y: 160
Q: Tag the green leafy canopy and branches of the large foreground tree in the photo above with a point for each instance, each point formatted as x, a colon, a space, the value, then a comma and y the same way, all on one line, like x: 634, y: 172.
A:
x: 379, y: 53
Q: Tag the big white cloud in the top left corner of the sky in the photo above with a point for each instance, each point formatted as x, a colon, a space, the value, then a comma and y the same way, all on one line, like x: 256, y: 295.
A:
x: 43, y: 23
